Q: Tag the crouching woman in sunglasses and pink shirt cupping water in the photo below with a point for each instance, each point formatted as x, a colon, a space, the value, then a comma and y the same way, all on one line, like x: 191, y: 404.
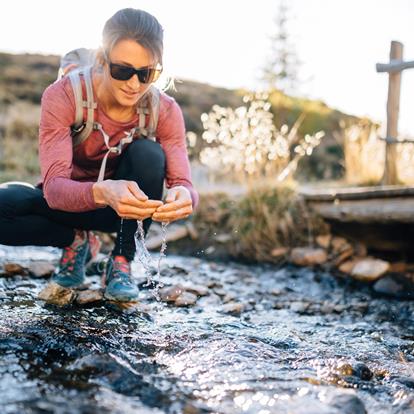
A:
x: 70, y: 202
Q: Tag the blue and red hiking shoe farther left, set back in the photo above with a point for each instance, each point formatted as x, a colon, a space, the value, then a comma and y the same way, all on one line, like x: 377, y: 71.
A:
x: 71, y: 271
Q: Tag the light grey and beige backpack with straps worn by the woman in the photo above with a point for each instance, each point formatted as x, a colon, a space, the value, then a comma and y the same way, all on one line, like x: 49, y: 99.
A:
x: 84, y: 60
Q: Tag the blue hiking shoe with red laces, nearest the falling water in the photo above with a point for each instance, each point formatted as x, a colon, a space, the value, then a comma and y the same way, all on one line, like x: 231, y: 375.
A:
x: 117, y: 279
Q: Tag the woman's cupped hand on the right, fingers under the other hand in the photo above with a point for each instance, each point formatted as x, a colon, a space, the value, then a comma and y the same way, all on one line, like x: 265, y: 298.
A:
x: 177, y: 205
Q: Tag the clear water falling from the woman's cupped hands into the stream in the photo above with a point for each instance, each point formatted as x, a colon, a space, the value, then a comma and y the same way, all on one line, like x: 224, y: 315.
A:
x: 145, y: 258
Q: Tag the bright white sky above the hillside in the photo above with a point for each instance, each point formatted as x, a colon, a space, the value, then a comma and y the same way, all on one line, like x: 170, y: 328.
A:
x: 226, y: 42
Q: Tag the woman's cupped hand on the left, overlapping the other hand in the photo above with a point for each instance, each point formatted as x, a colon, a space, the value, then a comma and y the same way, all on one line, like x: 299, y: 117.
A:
x: 126, y: 198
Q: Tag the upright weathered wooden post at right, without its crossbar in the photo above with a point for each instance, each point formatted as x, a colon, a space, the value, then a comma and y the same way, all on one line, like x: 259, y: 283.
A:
x: 393, y: 106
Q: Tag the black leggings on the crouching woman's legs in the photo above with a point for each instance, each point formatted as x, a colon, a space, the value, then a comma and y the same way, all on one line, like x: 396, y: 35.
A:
x: 26, y: 219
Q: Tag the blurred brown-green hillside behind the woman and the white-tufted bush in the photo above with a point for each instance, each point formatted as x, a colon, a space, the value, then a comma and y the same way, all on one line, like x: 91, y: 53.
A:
x: 24, y: 77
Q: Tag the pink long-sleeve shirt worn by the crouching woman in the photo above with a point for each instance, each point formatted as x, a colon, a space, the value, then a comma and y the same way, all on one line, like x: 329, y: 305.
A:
x: 68, y: 174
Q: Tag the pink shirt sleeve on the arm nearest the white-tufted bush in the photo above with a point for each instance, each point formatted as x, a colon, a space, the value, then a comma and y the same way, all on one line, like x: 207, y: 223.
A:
x: 171, y: 135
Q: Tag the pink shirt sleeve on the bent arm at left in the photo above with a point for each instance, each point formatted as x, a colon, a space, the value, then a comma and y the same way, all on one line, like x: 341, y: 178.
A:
x: 56, y: 152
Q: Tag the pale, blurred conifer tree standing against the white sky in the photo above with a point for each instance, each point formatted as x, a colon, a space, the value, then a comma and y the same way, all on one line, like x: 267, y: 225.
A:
x: 281, y: 68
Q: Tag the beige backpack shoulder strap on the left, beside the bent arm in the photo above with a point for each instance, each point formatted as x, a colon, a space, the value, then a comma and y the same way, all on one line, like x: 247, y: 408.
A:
x: 82, y: 129
